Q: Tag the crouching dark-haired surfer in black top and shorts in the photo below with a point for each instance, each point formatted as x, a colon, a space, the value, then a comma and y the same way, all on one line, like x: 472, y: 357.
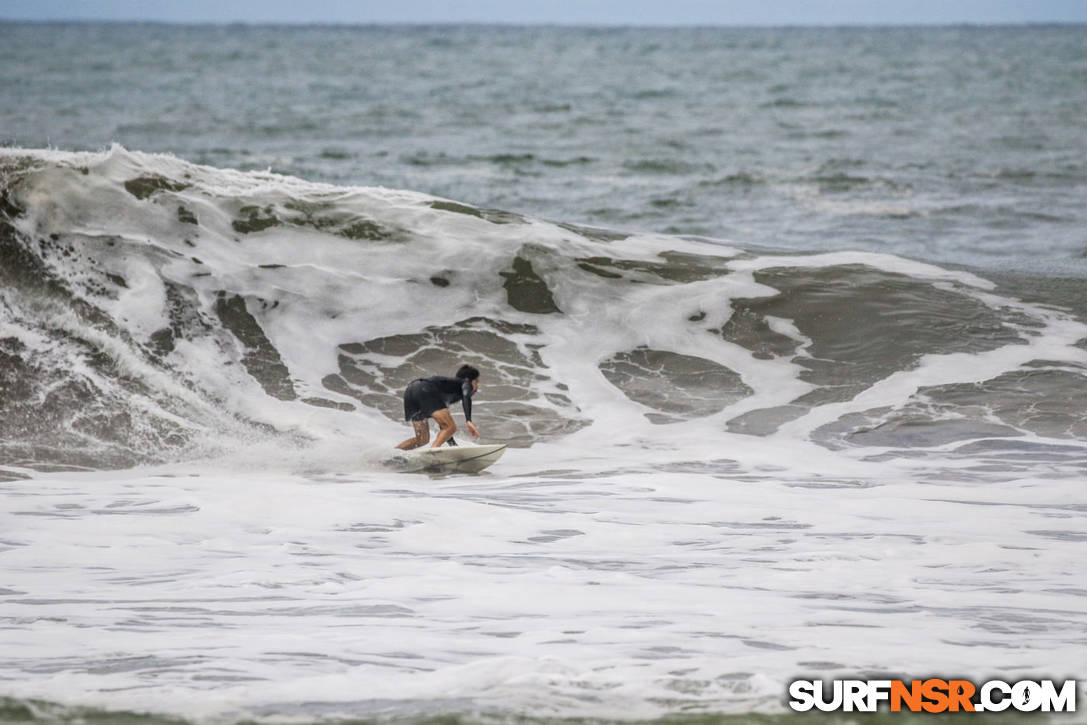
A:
x: 431, y: 397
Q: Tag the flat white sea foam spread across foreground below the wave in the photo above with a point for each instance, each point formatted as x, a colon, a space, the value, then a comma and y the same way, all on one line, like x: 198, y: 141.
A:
x: 632, y: 593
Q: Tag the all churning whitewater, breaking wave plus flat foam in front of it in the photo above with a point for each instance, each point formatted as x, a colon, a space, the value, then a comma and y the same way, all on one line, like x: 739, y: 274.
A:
x: 732, y: 467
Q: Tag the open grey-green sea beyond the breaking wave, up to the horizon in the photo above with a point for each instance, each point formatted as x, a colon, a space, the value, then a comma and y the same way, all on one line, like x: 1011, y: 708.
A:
x: 956, y: 145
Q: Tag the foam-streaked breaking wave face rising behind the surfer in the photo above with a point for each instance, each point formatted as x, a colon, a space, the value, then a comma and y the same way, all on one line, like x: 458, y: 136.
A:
x: 155, y: 310
